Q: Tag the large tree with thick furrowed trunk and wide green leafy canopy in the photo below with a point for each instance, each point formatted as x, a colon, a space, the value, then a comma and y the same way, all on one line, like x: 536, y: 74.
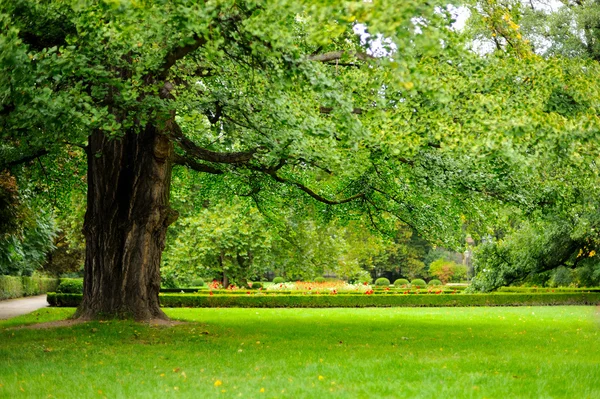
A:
x: 279, y: 100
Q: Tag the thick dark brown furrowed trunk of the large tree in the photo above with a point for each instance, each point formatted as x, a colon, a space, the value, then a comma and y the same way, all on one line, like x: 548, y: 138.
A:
x: 125, y: 224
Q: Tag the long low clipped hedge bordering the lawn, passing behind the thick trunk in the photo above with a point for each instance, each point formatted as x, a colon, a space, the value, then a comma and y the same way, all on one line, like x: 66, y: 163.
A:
x: 354, y: 301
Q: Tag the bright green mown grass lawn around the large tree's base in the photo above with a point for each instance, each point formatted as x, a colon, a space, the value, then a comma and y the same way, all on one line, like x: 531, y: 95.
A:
x: 501, y: 352
